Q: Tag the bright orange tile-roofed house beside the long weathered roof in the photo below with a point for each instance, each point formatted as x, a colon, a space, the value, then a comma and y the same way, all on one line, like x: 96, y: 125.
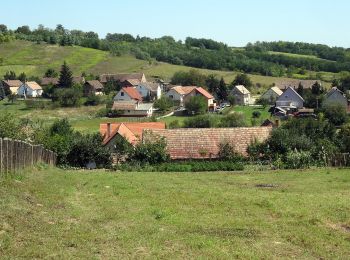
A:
x: 131, y: 131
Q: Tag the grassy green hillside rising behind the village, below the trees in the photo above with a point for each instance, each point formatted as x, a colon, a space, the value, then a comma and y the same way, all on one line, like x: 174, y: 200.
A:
x: 34, y: 59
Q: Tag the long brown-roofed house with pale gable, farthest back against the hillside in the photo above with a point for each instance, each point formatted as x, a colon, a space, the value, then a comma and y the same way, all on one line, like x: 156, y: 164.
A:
x: 130, y: 79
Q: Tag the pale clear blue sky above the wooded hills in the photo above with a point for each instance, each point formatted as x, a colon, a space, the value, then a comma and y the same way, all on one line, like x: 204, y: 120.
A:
x: 234, y: 22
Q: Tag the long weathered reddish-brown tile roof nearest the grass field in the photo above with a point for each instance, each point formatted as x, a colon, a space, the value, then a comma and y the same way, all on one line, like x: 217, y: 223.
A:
x: 203, y: 143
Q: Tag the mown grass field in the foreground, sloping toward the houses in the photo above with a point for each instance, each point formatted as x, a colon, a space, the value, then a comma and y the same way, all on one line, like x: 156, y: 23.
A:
x: 52, y: 213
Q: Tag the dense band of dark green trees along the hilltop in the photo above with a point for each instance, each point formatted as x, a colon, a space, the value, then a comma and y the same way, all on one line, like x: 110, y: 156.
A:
x: 199, y: 53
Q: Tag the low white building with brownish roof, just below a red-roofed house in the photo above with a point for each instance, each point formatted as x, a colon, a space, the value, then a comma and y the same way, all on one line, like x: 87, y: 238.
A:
x: 133, y: 108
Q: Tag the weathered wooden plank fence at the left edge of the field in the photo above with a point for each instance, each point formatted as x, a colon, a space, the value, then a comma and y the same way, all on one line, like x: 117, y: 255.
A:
x: 16, y: 155
